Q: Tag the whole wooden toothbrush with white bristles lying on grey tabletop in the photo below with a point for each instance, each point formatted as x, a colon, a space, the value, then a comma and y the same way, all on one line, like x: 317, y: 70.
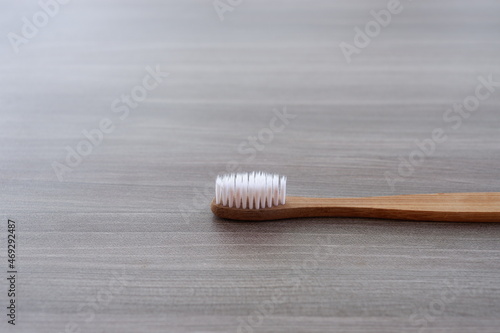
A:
x: 261, y: 196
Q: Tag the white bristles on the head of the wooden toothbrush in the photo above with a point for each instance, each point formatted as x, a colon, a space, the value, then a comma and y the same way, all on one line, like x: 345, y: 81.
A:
x: 254, y: 190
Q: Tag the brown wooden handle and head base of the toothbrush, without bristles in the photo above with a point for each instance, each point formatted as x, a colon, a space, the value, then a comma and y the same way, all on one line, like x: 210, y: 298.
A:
x: 455, y: 207
